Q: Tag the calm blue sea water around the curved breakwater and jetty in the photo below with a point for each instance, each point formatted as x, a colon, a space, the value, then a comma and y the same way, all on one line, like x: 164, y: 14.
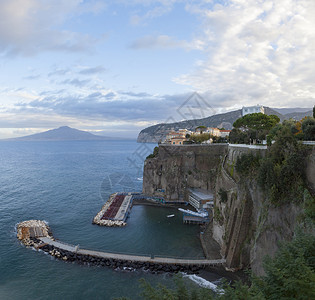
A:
x: 66, y: 183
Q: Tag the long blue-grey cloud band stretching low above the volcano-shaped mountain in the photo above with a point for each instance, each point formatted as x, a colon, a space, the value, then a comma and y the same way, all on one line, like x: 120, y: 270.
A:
x: 118, y: 107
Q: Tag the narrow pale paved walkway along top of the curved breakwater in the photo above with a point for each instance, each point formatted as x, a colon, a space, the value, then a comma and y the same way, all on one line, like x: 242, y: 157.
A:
x: 134, y: 258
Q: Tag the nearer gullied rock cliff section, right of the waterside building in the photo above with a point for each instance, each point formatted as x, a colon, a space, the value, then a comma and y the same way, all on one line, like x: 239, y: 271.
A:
x: 245, y: 225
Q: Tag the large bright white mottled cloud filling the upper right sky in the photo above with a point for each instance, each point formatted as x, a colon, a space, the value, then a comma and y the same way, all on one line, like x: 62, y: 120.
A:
x: 257, y: 51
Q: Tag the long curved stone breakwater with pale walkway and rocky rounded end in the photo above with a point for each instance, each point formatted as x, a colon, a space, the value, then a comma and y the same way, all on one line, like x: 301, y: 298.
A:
x: 36, y: 234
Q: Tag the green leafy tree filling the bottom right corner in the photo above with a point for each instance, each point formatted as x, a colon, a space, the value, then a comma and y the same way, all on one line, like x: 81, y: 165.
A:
x: 290, y: 274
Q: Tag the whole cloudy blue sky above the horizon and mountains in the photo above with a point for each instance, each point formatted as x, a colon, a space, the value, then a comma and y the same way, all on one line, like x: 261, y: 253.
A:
x: 116, y: 67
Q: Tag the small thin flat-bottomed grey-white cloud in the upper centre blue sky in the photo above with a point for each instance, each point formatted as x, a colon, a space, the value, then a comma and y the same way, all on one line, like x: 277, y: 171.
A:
x: 164, y: 42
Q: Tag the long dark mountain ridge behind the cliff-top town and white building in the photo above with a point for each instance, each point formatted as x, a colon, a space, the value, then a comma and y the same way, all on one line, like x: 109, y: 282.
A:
x: 155, y: 133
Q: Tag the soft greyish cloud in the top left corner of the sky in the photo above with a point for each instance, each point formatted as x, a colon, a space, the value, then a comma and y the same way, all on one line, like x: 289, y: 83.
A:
x: 28, y: 27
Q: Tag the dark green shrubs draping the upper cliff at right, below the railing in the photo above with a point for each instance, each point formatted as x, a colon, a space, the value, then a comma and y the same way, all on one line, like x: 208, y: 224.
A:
x: 281, y: 173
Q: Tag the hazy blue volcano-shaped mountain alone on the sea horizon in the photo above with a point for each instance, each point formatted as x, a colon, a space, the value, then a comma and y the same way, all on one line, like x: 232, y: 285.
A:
x: 63, y: 133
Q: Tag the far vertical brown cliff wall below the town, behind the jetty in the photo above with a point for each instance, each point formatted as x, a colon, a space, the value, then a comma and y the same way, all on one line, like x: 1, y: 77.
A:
x: 177, y: 168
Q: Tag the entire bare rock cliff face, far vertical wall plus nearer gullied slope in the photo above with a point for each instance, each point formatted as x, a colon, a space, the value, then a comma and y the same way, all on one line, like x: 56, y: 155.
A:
x: 246, y: 226
